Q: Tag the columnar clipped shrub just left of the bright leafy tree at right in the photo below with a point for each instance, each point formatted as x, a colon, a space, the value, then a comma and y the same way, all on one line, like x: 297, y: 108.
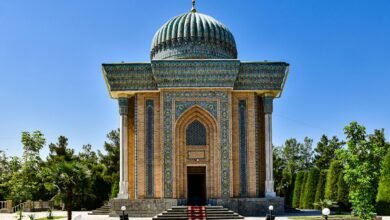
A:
x: 331, y: 180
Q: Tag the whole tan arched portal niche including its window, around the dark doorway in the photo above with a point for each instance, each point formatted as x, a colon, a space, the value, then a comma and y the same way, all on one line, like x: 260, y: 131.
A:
x: 193, y: 153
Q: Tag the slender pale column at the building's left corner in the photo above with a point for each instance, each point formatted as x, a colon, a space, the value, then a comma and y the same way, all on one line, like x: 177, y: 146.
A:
x: 123, y: 163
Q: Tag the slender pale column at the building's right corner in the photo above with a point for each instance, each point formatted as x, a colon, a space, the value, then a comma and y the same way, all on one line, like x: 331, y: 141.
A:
x: 269, y: 176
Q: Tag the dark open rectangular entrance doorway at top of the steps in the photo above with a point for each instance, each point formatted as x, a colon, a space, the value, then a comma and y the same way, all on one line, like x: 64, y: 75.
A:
x: 196, y: 185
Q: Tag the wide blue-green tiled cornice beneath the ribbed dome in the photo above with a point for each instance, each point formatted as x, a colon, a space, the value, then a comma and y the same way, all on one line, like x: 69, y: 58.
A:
x: 127, y: 79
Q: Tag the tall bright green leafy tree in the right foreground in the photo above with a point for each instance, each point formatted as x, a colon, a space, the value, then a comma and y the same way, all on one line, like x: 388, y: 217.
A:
x: 362, y: 162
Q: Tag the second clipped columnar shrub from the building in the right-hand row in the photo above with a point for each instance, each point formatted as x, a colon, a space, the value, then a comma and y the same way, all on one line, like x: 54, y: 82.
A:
x: 310, y: 188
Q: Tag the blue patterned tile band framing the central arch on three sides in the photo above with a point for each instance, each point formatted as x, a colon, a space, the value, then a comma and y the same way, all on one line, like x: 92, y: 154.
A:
x: 169, y: 118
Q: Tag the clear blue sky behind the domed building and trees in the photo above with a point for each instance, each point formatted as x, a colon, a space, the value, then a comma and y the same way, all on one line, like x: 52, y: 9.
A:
x: 51, y: 54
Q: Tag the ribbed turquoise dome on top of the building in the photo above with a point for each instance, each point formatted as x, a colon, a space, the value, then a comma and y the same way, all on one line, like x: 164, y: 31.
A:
x: 193, y: 36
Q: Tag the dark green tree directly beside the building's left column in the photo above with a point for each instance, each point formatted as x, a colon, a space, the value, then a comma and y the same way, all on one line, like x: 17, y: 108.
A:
x: 111, y: 161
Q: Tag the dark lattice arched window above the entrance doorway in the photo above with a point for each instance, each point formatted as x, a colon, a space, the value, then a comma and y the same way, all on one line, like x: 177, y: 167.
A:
x: 196, y: 134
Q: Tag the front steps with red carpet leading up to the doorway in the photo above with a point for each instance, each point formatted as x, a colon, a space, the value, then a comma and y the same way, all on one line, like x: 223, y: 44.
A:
x: 198, y: 213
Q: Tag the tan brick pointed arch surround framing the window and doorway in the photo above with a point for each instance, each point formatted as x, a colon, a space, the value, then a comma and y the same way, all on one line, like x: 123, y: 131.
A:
x: 180, y: 152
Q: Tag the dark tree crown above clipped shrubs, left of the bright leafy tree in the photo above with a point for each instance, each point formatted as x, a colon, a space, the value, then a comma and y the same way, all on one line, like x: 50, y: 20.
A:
x: 326, y: 151
